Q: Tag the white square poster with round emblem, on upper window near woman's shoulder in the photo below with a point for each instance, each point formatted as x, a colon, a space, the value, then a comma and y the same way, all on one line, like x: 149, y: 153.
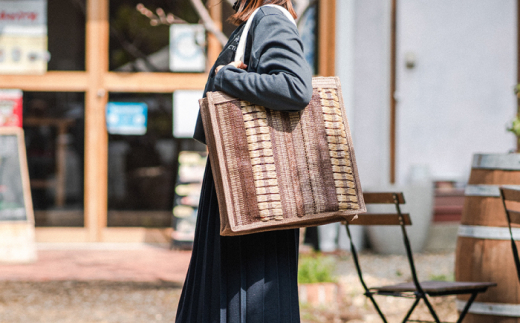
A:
x: 187, y: 43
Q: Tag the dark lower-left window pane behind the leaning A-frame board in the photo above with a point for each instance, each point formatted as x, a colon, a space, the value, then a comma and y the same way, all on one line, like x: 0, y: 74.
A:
x: 53, y: 123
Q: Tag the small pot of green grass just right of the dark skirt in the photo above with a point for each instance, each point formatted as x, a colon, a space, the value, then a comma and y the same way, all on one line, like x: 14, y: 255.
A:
x: 317, y: 280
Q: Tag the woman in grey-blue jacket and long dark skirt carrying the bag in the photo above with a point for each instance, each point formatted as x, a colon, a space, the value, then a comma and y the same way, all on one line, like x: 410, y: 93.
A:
x: 251, y: 278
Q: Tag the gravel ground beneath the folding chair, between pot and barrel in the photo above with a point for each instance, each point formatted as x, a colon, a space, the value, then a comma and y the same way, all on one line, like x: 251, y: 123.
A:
x: 354, y: 307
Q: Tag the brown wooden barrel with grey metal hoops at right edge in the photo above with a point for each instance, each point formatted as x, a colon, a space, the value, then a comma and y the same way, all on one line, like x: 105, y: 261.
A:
x: 483, y: 244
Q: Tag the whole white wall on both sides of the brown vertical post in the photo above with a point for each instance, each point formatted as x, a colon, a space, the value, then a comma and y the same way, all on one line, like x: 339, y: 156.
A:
x: 455, y: 102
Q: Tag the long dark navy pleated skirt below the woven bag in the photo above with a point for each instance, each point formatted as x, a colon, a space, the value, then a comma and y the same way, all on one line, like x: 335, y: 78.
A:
x: 241, y: 279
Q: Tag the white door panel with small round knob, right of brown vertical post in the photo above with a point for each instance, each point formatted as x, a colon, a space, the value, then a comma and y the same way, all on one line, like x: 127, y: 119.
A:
x: 459, y: 97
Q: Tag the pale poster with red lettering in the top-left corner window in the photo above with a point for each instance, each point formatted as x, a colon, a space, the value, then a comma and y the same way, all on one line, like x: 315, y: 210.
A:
x: 23, y: 37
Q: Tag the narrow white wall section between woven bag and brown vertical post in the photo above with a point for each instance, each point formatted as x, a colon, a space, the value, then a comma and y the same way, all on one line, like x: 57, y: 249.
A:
x: 362, y: 48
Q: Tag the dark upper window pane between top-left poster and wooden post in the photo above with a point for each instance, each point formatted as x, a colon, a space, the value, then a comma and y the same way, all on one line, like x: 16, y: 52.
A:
x: 66, y: 34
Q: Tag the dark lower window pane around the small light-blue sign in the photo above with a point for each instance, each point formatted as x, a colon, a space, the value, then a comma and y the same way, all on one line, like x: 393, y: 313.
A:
x: 142, y: 168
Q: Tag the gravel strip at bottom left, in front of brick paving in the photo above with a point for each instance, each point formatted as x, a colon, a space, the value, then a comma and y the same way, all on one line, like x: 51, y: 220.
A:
x: 82, y: 302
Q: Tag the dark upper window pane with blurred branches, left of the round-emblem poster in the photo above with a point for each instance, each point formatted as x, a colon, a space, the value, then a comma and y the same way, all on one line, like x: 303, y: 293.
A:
x: 136, y: 43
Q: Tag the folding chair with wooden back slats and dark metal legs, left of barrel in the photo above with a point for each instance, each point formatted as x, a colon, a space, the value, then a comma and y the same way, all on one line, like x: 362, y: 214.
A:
x: 414, y: 289
